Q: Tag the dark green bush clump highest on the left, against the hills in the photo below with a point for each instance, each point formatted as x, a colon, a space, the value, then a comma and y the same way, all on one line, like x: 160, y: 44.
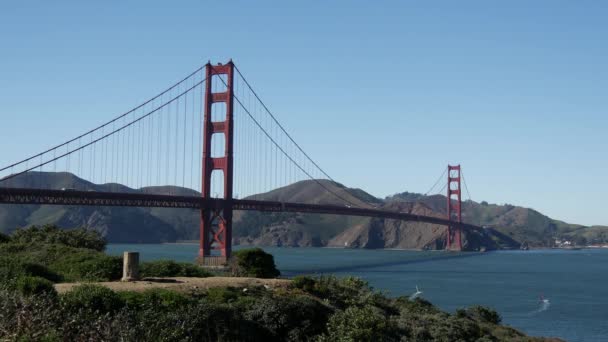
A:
x: 79, y: 238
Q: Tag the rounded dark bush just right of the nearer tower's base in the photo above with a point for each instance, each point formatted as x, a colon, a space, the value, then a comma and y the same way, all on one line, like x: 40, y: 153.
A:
x: 254, y: 263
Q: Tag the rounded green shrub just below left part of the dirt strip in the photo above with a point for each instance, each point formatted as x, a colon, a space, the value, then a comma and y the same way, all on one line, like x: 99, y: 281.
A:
x: 92, y: 297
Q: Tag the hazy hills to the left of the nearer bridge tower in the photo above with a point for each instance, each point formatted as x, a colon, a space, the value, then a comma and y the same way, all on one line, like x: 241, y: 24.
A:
x: 117, y: 224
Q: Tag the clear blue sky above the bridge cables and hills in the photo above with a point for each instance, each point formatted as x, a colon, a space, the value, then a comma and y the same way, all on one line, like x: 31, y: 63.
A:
x: 382, y: 94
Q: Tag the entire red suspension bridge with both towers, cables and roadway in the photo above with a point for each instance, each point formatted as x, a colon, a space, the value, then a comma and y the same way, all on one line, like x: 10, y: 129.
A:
x: 209, y: 131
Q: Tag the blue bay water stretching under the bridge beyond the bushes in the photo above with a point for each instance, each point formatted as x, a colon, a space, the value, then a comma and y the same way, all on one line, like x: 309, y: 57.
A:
x: 574, y: 282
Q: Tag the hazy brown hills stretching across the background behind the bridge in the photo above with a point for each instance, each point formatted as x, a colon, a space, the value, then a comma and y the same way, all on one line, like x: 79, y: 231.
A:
x: 507, y: 226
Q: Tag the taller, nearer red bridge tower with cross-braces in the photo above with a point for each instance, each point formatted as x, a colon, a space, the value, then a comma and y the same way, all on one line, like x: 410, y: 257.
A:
x: 216, y: 223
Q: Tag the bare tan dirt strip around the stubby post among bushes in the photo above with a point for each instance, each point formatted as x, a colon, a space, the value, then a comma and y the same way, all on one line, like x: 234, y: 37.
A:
x: 183, y: 284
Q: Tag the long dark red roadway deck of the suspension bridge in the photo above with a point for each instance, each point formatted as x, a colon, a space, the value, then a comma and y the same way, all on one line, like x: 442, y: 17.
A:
x: 136, y: 199
